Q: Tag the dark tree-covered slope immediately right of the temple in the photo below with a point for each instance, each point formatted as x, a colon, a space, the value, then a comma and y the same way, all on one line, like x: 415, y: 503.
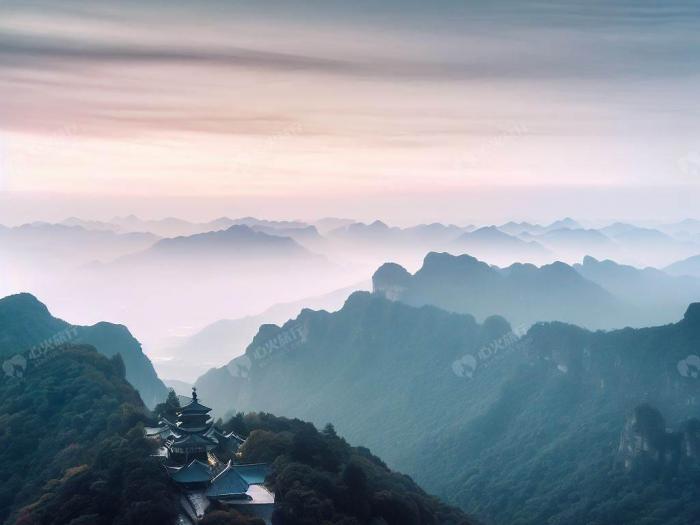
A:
x: 319, y: 479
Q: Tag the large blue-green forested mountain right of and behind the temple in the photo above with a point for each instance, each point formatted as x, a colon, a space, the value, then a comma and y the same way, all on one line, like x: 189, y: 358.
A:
x: 514, y: 429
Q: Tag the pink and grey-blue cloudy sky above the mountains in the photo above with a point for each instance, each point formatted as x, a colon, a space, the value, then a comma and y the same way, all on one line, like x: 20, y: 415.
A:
x: 461, y: 111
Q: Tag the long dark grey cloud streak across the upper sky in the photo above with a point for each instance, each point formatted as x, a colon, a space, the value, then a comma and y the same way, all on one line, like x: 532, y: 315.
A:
x: 571, y: 56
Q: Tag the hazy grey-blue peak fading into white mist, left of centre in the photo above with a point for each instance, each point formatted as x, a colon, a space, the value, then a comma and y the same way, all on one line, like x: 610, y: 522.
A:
x: 194, y: 280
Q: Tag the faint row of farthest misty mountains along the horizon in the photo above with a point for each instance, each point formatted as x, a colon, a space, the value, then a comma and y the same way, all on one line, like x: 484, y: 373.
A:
x: 344, y: 240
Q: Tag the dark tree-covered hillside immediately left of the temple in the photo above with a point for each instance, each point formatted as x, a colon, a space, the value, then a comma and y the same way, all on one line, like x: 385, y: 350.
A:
x: 72, y: 448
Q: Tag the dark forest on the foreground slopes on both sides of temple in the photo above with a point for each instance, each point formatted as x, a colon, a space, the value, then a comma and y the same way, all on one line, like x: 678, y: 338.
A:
x: 72, y: 451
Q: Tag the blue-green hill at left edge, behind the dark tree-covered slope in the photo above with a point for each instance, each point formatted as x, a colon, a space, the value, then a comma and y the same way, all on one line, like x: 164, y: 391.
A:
x: 27, y: 328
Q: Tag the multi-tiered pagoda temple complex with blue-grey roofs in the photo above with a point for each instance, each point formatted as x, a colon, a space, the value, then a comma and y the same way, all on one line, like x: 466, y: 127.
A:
x: 191, y: 448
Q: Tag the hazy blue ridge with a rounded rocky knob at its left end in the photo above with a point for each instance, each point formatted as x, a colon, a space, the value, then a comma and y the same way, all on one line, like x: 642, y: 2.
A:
x: 522, y: 293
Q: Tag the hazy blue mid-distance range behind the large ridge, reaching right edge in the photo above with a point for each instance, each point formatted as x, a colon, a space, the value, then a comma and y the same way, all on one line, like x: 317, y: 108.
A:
x: 594, y: 294
